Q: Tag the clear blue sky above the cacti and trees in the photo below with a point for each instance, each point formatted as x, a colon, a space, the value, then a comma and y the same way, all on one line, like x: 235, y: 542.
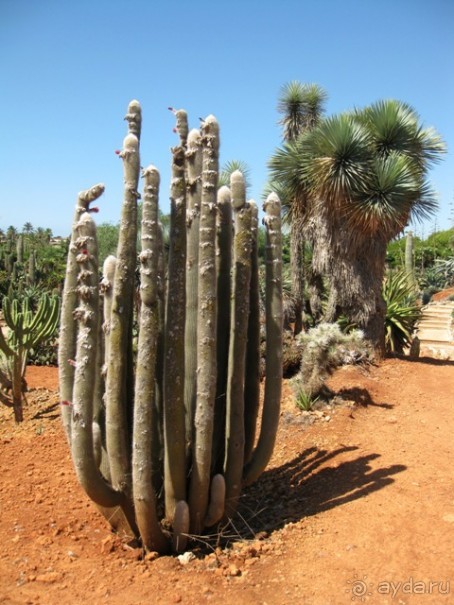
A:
x: 69, y: 68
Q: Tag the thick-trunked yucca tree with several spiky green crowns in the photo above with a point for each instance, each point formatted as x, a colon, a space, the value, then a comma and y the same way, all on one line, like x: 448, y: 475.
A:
x: 367, y: 172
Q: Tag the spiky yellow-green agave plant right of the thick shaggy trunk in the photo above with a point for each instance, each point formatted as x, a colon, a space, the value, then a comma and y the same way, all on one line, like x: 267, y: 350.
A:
x: 402, y: 312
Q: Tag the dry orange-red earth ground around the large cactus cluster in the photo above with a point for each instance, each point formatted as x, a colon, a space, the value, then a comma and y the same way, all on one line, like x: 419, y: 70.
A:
x: 357, y: 506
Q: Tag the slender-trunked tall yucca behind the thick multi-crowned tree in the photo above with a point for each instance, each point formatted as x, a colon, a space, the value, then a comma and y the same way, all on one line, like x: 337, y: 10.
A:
x: 301, y: 106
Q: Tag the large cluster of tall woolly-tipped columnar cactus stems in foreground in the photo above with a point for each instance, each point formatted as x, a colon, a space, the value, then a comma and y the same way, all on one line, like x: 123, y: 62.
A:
x: 166, y: 434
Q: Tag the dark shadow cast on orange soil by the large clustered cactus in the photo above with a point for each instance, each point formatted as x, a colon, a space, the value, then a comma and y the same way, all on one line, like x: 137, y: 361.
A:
x: 313, y: 482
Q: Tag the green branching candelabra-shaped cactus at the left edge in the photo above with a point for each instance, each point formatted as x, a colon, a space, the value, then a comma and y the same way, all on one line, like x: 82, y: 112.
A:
x: 26, y: 330
